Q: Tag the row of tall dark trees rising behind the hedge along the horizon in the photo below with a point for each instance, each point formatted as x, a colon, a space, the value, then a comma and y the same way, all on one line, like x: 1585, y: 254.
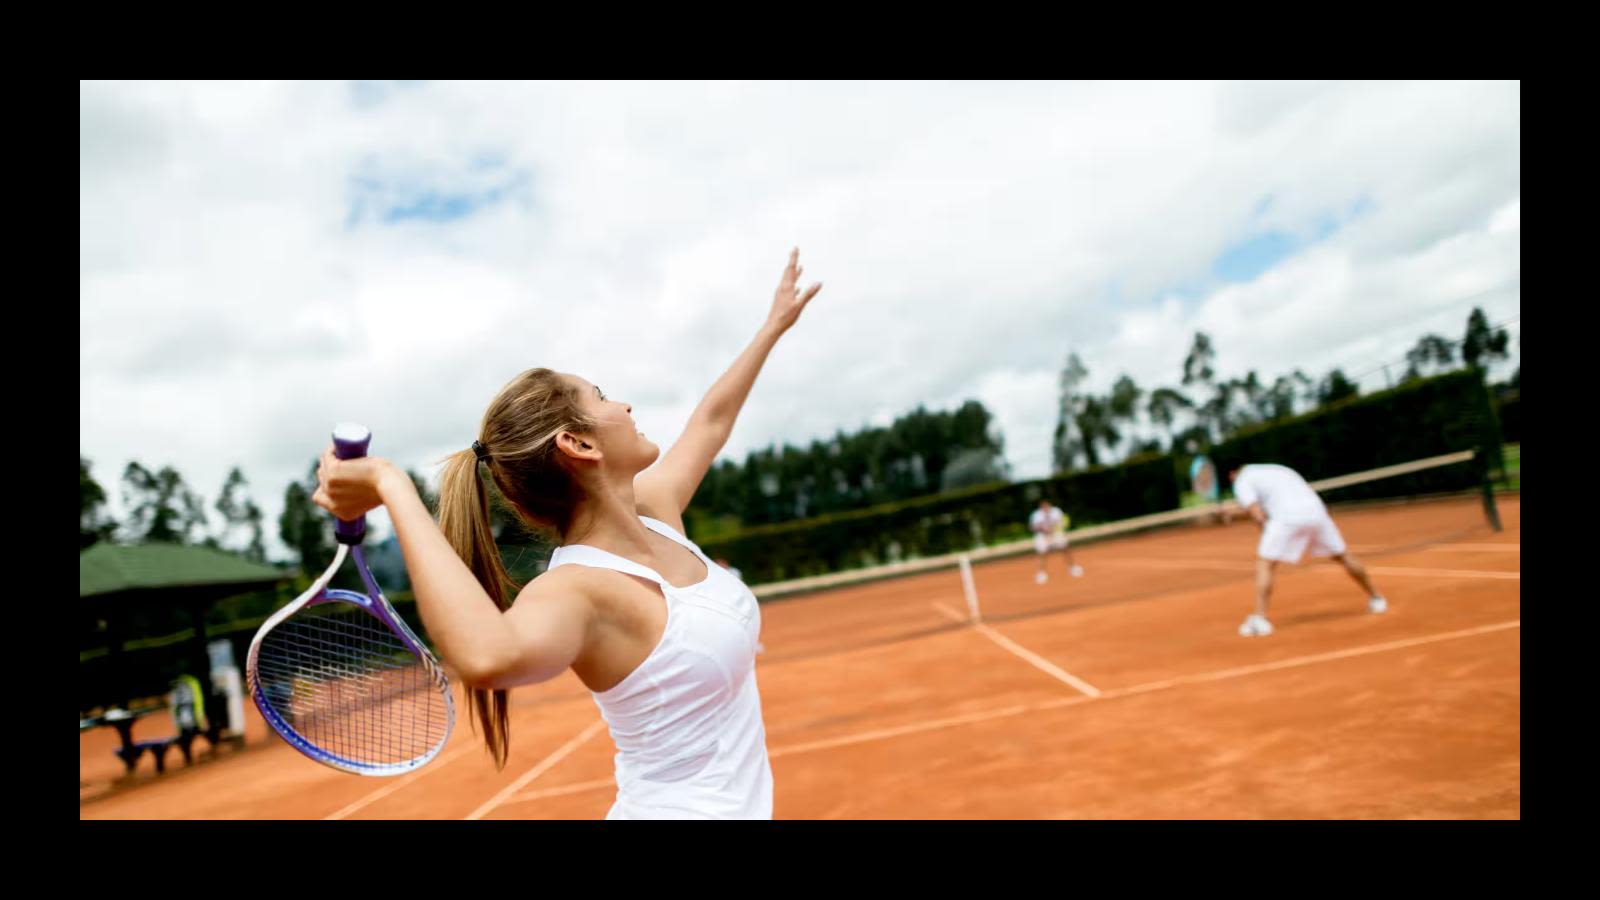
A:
x: 922, y: 452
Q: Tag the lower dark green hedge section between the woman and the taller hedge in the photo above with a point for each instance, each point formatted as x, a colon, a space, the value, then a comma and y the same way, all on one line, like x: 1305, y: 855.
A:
x: 932, y: 526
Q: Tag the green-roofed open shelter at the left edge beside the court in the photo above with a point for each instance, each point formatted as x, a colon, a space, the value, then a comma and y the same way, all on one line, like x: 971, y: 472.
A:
x: 118, y: 581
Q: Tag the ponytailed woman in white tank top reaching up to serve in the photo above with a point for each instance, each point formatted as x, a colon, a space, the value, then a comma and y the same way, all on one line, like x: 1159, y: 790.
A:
x: 662, y: 637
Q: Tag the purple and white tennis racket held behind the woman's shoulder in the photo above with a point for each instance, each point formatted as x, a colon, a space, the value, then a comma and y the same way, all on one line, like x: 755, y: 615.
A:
x: 342, y: 677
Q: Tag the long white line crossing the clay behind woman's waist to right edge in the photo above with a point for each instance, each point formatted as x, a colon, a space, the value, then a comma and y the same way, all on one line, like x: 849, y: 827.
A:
x: 1151, y: 688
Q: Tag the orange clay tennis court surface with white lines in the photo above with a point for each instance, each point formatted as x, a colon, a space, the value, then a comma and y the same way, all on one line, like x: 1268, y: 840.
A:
x: 1126, y: 694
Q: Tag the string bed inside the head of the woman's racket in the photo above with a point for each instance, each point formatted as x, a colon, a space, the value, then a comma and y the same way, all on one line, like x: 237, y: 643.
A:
x: 351, y: 688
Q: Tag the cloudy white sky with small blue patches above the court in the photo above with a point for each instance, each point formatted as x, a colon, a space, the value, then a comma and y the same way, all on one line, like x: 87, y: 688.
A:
x: 263, y: 260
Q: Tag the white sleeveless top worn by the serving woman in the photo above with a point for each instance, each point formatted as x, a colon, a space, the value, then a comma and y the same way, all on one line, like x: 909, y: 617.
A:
x: 687, y: 723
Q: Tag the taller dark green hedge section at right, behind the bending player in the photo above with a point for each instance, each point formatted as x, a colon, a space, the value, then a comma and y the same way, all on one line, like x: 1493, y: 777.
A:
x: 1414, y: 422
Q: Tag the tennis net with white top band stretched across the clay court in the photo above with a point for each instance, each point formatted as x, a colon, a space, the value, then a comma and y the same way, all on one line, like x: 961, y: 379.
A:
x: 1382, y: 512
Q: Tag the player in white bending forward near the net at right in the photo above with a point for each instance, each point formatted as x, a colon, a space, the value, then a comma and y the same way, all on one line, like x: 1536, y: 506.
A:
x: 1294, y: 520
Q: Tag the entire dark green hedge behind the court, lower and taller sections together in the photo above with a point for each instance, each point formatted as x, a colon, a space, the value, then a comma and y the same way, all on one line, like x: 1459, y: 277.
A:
x: 1422, y: 419
